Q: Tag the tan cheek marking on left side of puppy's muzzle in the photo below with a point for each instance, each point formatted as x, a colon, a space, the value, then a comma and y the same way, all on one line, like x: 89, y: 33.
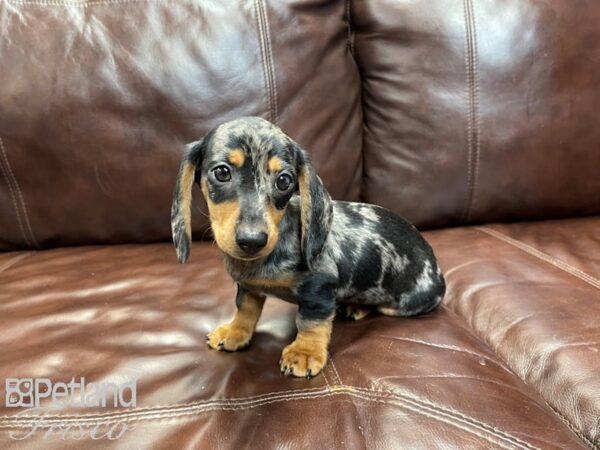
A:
x: 223, y: 219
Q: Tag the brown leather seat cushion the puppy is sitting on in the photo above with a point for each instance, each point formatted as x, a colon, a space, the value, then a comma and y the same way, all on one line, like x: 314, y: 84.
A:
x: 427, y: 382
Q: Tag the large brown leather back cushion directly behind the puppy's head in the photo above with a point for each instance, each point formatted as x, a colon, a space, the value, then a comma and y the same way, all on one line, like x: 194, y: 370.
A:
x: 98, y: 99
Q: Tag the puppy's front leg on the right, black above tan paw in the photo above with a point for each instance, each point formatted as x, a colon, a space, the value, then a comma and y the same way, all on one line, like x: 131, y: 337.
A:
x: 307, y: 355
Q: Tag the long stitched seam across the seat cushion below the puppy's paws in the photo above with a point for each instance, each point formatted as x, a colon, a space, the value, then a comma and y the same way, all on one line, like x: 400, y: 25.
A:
x: 415, y: 404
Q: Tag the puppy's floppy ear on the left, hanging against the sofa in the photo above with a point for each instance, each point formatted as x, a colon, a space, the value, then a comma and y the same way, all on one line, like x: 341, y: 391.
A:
x: 181, y: 209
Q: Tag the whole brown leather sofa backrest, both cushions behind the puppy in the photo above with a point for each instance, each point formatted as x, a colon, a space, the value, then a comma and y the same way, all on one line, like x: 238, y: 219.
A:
x: 447, y: 112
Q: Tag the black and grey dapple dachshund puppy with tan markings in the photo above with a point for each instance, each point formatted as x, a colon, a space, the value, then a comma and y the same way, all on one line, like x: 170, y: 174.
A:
x: 282, y: 235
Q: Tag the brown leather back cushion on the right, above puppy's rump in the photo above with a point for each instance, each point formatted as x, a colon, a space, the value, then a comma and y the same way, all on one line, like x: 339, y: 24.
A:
x: 479, y: 111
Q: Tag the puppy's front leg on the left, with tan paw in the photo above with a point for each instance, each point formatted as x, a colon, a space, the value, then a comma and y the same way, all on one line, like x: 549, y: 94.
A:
x: 236, y: 334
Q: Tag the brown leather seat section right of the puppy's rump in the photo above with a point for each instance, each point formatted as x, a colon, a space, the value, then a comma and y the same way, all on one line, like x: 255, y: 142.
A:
x: 535, y: 299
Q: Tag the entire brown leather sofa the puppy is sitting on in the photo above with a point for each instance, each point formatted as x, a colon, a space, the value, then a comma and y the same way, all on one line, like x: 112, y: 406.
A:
x: 477, y: 120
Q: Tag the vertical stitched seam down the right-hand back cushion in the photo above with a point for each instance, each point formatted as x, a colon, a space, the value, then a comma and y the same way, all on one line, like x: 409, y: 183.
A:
x: 473, y: 116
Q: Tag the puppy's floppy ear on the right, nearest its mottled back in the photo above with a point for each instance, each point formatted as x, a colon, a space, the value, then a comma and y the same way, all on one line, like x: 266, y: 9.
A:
x: 316, y: 210
